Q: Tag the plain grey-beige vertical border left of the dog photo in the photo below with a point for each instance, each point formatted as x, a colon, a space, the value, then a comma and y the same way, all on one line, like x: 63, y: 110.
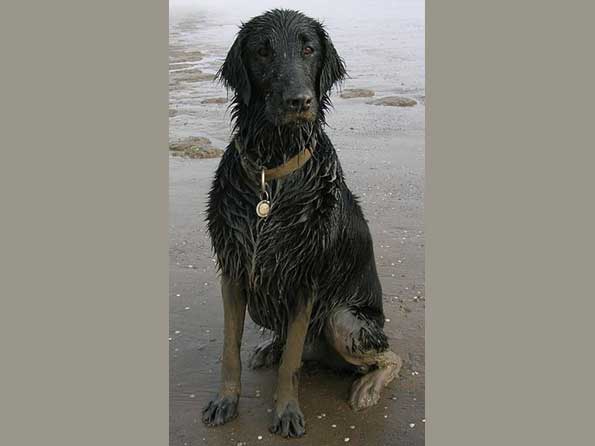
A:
x: 84, y: 223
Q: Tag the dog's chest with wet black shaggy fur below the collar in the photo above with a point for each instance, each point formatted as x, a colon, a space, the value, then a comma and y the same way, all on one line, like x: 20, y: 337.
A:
x: 287, y: 247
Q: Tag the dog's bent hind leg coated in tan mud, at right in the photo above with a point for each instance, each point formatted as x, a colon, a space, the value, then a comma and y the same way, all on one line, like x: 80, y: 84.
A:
x: 360, y: 340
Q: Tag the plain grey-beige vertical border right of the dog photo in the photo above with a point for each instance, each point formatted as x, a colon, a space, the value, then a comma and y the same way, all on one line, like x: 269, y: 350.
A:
x: 509, y: 215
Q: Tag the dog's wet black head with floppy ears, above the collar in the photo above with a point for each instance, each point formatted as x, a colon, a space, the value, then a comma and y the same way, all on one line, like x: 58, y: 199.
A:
x: 283, y: 64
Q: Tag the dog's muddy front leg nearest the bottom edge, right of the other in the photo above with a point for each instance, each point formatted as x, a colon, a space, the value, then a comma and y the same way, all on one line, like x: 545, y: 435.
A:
x: 288, y: 419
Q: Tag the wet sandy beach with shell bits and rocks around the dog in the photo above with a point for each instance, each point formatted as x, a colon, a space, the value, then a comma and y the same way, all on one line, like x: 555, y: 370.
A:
x: 380, y: 143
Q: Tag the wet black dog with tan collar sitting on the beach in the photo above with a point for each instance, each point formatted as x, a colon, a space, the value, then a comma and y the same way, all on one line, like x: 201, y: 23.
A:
x: 291, y: 241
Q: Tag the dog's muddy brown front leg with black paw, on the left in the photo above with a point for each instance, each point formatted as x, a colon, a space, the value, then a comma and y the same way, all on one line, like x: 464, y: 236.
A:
x: 225, y: 406
